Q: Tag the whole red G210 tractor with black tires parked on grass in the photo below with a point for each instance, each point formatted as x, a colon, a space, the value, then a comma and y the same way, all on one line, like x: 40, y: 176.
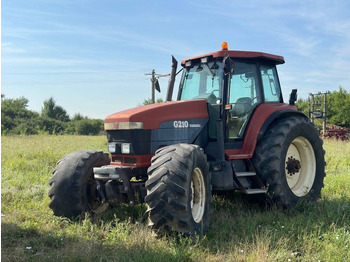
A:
x: 227, y: 130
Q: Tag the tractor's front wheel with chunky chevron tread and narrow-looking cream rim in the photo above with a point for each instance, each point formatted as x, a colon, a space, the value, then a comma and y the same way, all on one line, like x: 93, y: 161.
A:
x: 179, y: 190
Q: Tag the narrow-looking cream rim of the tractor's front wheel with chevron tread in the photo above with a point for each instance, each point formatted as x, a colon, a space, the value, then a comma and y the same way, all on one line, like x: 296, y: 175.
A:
x: 198, y: 195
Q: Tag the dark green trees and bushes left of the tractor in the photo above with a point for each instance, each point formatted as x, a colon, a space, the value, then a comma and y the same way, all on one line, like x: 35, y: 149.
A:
x: 17, y: 119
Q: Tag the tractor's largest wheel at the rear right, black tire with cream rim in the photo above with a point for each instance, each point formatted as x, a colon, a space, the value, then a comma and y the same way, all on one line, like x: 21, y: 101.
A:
x: 289, y: 160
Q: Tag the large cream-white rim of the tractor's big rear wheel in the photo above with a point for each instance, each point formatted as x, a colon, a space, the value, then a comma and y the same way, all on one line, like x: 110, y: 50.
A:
x: 300, y: 166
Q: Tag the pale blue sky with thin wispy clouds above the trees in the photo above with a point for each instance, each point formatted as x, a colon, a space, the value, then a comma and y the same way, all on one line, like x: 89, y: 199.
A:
x: 92, y: 56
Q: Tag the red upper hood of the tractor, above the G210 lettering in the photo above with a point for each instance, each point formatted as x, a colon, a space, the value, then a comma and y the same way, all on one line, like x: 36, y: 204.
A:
x: 153, y: 115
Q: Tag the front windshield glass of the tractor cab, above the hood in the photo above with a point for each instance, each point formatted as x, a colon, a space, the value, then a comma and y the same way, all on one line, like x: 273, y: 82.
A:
x: 202, y: 81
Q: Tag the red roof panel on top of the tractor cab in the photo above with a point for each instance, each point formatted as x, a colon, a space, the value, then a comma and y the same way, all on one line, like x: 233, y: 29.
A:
x: 239, y: 54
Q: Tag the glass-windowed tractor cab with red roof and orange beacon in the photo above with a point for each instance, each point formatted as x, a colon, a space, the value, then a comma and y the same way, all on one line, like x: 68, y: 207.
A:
x: 234, y: 83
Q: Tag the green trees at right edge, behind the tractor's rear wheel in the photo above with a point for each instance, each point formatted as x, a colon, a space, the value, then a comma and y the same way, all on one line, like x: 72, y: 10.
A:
x: 338, y: 107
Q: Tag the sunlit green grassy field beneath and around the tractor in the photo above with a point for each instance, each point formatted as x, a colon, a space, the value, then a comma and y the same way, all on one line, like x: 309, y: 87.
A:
x: 239, y: 231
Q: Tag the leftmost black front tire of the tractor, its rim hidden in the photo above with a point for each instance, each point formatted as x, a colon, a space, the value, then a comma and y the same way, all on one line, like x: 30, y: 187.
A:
x: 73, y: 187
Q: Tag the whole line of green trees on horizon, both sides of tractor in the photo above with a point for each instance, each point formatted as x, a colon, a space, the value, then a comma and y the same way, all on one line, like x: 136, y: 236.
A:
x: 17, y: 119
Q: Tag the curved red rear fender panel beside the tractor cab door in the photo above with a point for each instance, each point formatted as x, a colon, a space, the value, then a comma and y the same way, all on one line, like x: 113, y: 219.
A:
x: 256, y: 122
